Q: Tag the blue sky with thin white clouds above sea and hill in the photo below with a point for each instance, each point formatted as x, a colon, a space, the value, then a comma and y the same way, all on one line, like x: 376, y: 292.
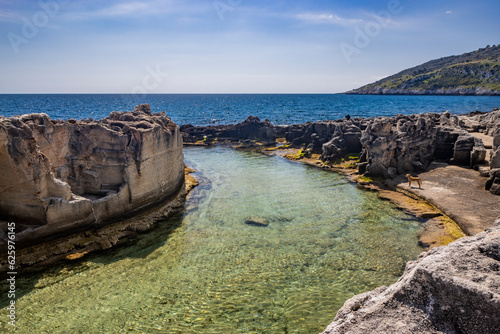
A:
x: 229, y: 46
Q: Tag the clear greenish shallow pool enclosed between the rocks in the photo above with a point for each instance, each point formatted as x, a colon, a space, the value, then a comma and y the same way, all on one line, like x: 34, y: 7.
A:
x: 326, y: 241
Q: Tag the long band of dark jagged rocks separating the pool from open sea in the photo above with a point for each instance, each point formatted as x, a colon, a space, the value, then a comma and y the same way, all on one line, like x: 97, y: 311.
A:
x: 387, y: 146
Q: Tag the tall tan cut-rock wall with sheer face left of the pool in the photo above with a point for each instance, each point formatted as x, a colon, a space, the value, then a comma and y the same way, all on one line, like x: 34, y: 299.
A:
x: 59, y: 177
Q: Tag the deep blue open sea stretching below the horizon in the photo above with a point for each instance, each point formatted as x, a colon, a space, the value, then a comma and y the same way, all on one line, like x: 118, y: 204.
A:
x: 199, y: 109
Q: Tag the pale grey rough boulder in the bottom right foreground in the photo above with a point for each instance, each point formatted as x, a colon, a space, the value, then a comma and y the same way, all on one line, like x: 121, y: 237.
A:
x: 451, y: 289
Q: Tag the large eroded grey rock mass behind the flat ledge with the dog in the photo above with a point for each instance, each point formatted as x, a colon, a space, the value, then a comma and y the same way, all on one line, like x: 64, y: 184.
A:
x: 405, y: 143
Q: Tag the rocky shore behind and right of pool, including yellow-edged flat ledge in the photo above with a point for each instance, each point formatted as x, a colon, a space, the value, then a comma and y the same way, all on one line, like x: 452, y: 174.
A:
x: 454, y: 154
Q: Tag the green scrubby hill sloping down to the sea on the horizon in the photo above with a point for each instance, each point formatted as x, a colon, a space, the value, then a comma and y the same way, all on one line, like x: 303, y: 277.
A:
x: 473, y: 73
